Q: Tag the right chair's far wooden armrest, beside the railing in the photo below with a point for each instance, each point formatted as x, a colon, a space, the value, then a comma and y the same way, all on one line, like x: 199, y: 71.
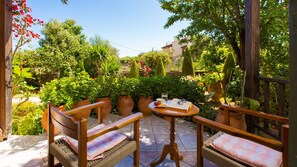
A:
x: 255, y: 113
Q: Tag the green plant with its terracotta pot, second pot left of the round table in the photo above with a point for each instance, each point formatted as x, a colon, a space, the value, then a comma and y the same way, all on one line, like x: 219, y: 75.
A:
x: 126, y: 87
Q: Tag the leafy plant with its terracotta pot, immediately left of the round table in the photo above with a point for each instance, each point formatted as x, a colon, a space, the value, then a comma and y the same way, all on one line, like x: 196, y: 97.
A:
x: 145, y: 92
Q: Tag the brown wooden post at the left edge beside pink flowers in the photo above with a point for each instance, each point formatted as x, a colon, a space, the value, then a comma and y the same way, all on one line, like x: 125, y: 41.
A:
x: 5, y: 68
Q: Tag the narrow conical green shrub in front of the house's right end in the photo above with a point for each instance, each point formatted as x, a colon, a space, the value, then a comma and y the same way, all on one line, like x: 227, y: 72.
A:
x: 187, y: 68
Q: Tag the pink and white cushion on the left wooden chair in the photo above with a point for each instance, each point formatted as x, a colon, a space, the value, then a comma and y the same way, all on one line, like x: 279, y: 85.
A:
x: 96, y: 147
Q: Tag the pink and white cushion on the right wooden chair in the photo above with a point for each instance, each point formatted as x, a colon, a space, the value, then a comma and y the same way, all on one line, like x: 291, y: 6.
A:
x: 246, y: 151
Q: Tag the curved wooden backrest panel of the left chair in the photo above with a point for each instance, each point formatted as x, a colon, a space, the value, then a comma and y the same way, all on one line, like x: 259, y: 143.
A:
x: 64, y: 123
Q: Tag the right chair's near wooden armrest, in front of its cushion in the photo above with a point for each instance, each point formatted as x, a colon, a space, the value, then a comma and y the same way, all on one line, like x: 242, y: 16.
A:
x: 239, y: 133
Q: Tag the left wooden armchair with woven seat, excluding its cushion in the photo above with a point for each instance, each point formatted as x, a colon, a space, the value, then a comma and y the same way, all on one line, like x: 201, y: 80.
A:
x: 72, y: 124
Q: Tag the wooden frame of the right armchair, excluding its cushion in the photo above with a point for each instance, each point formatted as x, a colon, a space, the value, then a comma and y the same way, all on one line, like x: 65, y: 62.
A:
x: 205, y: 150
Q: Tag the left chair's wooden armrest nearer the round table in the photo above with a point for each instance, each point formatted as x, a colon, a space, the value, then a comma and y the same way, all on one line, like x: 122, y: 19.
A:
x: 117, y: 125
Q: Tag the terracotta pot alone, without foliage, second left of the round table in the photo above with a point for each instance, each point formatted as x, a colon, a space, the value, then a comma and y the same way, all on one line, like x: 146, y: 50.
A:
x: 125, y: 105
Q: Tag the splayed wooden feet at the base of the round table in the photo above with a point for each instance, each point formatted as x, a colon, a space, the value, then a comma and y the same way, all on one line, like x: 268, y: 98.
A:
x: 174, y: 155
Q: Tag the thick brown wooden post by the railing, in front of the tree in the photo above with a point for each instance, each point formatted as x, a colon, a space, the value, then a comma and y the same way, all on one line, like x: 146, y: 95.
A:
x: 252, y: 43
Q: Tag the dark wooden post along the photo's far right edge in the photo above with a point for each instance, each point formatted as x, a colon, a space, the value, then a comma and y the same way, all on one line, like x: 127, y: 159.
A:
x: 293, y: 84
